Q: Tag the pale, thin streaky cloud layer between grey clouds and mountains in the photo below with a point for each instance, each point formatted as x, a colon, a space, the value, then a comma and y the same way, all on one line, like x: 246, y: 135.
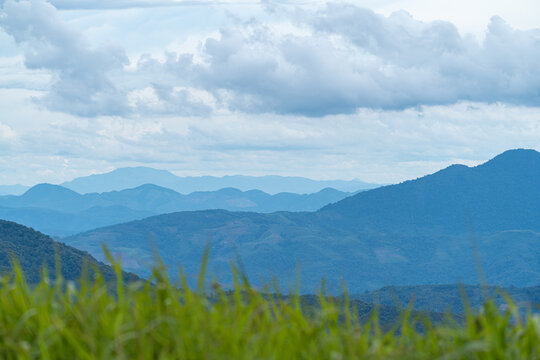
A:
x: 373, y: 145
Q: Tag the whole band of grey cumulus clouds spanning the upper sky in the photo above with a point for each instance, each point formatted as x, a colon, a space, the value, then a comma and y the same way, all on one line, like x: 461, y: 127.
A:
x: 334, y: 60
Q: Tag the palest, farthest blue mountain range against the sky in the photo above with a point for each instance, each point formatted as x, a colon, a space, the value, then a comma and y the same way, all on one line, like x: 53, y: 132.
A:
x: 126, y: 178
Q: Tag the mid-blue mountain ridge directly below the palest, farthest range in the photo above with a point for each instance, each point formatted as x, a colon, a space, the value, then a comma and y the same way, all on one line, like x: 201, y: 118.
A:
x: 59, y: 212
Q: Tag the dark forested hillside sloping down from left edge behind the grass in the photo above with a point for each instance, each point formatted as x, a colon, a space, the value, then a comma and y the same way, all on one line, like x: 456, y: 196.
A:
x: 33, y: 250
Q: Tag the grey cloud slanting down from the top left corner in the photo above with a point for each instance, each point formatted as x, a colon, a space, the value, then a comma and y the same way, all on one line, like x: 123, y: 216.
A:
x: 81, y: 84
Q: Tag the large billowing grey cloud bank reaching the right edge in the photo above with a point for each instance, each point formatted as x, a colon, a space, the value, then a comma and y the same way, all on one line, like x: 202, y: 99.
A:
x: 353, y: 58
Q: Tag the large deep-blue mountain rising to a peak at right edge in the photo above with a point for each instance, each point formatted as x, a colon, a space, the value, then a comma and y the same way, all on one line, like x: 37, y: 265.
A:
x: 424, y: 231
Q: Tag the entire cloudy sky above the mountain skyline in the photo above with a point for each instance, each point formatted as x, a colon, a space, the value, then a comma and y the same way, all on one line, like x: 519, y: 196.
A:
x: 382, y: 91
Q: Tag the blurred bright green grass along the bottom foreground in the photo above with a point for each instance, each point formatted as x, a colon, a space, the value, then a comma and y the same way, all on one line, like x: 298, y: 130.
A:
x: 156, y: 320
